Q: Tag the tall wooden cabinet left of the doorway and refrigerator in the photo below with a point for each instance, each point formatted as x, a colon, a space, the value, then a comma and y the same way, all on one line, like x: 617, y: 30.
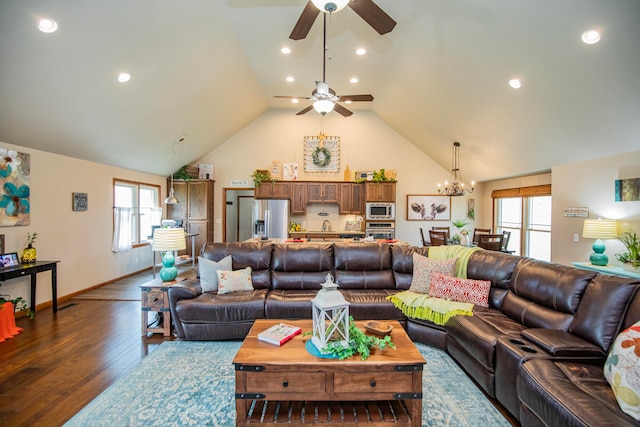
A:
x: 195, y: 210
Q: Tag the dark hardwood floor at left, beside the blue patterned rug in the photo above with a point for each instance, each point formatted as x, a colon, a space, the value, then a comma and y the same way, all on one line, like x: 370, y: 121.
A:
x: 61, y: 362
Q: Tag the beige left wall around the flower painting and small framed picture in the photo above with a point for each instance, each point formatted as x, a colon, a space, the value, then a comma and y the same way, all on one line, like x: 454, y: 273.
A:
x: 81, y: 241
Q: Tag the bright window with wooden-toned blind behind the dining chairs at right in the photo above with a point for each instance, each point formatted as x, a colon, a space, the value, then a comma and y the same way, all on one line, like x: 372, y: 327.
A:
x: 526, y: 213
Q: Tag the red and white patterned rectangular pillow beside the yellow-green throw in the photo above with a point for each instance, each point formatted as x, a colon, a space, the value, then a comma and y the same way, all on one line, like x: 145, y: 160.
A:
x: 459, y: 289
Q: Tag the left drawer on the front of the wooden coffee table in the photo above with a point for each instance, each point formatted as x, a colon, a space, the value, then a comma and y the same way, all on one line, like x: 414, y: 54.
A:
x: 285, y: 381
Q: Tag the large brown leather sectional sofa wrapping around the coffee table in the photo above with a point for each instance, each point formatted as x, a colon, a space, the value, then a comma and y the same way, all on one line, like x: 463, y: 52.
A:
x: 538, y: 349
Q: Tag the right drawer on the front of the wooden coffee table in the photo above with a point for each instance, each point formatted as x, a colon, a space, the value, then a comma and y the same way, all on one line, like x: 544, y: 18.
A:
x: 395, y: 382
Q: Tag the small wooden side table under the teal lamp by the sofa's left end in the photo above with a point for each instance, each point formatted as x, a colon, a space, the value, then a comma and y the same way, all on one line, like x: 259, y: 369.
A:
x: 155, y: 298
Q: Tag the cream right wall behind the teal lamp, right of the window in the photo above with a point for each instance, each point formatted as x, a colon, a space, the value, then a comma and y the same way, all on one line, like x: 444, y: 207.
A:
x: 591, y: 184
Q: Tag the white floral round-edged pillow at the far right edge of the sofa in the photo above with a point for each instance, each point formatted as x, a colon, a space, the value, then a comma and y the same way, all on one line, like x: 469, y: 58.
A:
x: 622, y: 370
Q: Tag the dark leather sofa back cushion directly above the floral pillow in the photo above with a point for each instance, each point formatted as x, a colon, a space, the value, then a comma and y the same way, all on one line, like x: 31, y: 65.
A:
x: 600, y: 314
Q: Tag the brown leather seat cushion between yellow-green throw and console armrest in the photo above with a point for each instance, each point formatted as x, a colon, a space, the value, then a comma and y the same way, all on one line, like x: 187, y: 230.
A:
x: 479, y: 333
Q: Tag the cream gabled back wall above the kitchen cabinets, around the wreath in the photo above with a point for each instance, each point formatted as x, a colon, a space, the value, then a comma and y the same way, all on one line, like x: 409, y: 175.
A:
x: 366, y: 143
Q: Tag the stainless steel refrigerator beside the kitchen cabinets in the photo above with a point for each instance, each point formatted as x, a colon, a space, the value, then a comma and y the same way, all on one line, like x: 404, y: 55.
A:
x: 270, y: 218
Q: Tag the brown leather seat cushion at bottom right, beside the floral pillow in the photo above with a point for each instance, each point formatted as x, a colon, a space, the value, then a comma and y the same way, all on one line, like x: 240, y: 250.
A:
x: 569, y: 394
